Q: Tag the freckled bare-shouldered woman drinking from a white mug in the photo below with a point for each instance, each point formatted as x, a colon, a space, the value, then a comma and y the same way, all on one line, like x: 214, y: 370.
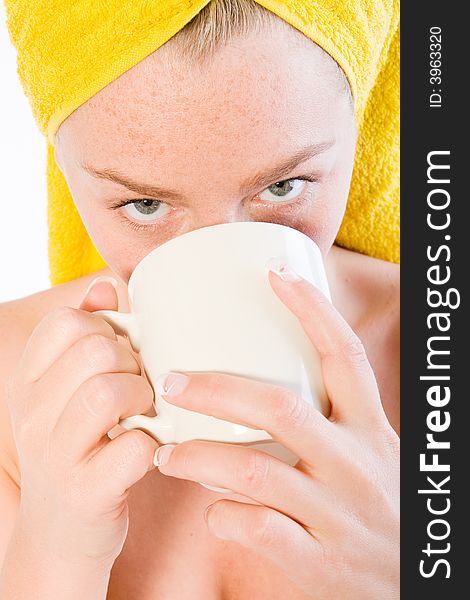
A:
x: 263, y: 129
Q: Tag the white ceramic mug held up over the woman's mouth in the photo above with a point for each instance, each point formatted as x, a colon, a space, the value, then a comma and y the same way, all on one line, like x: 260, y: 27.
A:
x: 202, y: 301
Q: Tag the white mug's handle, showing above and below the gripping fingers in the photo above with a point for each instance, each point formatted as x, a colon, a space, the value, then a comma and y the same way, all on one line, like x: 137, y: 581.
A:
x: 126, y: 324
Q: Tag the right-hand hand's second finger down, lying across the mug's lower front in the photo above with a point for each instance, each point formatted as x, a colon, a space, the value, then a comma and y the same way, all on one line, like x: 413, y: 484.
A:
x: 289, y: 419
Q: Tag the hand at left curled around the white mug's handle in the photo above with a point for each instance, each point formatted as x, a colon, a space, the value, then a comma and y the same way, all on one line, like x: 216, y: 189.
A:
x: 72, y: 385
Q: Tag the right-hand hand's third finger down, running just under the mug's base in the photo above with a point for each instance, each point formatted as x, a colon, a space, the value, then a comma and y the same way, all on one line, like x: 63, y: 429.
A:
x: 254, y: 474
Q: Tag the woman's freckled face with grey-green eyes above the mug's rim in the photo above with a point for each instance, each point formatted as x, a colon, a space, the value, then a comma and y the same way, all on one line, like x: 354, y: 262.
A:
x: 263, y: 131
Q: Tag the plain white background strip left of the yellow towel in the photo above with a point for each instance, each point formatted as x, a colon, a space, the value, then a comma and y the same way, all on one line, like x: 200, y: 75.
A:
x: 24, y: 266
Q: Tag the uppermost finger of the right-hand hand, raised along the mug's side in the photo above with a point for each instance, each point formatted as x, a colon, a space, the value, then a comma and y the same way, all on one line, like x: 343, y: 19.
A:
x: 348, y: 376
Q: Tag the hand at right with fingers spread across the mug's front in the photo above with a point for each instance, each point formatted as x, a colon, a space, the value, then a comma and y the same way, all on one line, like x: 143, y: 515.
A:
x: 331, y: 522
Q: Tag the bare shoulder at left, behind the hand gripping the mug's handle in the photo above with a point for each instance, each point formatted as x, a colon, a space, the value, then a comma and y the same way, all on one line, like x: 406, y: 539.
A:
x: 18, y: 318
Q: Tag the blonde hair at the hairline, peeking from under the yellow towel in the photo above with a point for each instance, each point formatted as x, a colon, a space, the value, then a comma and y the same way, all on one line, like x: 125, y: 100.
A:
x: 221, y: 20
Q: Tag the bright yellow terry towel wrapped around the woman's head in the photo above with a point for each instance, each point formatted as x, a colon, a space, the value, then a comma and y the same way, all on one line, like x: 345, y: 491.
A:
x: 70, y: 49
